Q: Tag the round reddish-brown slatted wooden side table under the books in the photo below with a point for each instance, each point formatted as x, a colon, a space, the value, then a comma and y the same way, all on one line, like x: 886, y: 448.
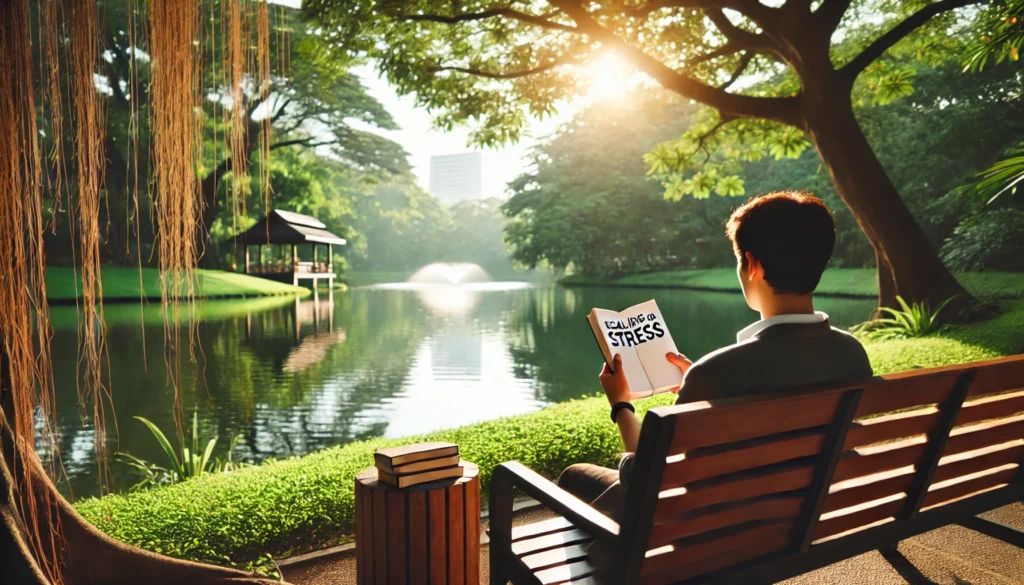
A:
x: 424, y: 535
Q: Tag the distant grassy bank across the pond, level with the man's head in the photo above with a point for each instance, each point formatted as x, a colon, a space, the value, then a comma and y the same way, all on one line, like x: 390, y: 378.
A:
x: 837, y: 282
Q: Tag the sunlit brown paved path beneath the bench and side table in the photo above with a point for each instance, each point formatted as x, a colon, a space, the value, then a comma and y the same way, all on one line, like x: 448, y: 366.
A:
x: 951, y: 556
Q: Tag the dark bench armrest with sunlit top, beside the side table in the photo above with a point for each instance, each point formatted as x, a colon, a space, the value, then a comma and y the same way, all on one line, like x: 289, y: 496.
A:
x: 516, y: 475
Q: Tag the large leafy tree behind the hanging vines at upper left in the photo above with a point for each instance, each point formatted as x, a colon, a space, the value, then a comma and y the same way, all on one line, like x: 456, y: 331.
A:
x: 313, y: 103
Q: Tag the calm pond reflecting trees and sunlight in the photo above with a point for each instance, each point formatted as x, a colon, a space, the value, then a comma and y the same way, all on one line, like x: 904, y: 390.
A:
x: 285, y: 378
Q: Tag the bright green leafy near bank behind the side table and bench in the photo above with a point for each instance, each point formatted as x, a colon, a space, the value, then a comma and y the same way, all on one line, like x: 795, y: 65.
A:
x: 298, y: 505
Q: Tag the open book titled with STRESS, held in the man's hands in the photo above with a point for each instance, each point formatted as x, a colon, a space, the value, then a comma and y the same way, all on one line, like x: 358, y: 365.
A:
x: 641, y: 337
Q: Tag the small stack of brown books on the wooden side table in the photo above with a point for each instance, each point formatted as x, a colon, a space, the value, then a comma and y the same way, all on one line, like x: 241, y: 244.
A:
x: 412, y: 465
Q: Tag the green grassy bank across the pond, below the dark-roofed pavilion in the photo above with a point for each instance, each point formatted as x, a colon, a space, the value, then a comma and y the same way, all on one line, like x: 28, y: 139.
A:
x: 124, y: 285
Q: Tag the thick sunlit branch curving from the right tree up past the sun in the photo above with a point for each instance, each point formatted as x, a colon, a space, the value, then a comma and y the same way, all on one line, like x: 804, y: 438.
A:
x: 783, y: 110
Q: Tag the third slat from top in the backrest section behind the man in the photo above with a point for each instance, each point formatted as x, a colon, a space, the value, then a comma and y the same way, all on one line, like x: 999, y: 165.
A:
x: 748, y: 486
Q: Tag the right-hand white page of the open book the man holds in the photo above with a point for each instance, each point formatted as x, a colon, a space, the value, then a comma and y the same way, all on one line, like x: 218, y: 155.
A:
x: 651, y: 338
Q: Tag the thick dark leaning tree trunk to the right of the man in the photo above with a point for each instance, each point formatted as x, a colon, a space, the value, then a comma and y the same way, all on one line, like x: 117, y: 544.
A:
x: 909, y: 266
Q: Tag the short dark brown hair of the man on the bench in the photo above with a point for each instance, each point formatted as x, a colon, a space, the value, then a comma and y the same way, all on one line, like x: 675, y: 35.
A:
x: 791, y: 233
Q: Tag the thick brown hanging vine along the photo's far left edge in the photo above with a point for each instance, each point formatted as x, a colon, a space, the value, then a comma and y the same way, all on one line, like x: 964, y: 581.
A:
x: 23, y: 289
